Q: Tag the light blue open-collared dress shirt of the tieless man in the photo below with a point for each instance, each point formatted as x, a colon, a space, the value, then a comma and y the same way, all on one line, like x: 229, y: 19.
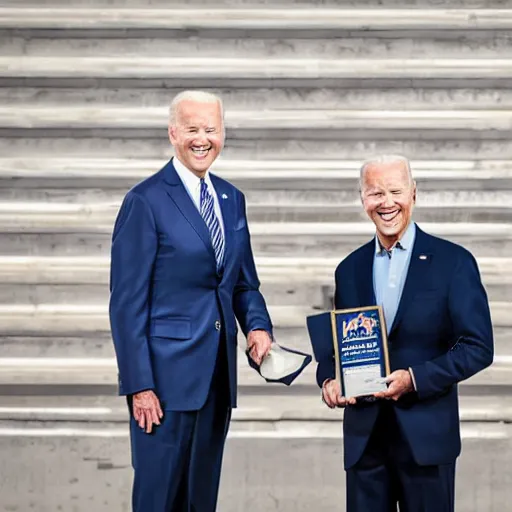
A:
x: 390, y: 272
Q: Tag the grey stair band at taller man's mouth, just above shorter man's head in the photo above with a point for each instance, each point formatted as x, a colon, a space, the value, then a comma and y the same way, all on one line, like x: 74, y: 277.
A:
x: 260, y: 148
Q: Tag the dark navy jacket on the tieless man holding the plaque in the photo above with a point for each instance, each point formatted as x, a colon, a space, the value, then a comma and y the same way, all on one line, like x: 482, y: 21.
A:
x: 442, y: 330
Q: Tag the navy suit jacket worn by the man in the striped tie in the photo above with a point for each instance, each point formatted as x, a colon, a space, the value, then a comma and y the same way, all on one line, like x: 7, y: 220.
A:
x: 167, y: 298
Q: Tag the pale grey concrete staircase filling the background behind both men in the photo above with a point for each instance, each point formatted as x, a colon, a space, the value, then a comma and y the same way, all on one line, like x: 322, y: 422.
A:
x: 311, y: 89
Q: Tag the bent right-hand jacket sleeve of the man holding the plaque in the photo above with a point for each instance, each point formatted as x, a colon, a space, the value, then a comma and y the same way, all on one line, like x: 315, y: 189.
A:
x: 474, y: 347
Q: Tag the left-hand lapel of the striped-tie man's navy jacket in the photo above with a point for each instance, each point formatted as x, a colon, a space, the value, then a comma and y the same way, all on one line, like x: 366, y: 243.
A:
x: 177, y: 192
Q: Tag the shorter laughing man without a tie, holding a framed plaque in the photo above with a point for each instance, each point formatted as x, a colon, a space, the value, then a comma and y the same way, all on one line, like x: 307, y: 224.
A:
x: 402, y: 444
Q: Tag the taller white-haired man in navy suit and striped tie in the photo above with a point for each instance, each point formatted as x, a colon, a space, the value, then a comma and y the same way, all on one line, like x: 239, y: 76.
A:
x: 182, y: 269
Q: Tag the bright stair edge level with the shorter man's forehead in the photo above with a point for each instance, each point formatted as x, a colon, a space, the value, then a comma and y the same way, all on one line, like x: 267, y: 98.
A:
x: 320, y: 171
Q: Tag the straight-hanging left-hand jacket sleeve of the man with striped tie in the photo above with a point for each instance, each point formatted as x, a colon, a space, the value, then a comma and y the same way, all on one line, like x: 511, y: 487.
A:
x: 134, y: 246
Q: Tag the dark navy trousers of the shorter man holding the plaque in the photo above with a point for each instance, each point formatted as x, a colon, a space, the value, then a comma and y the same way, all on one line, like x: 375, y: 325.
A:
x: 387, y: 475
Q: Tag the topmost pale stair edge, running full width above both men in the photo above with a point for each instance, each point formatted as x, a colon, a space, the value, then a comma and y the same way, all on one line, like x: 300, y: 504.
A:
x: 255, y: 19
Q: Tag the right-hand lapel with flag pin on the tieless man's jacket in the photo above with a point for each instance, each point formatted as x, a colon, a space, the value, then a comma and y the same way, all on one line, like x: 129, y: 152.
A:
x: 418, y: 274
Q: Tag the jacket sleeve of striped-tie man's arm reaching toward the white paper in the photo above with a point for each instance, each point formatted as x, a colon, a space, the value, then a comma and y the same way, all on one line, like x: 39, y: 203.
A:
x: 248, y: 302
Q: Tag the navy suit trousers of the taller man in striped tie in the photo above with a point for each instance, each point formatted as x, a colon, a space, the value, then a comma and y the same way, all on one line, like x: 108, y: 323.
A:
x: 177, y: 467
